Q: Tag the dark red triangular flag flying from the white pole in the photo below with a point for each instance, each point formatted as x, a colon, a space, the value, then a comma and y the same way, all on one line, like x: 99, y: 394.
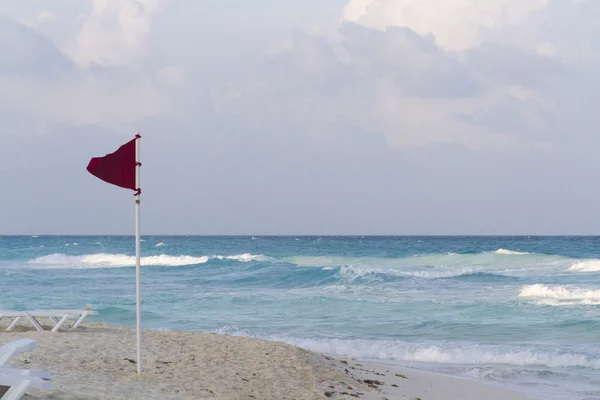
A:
x: 117, y: 168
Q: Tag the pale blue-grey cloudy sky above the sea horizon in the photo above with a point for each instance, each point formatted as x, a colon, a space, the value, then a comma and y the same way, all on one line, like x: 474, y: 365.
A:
x: 270, y: 117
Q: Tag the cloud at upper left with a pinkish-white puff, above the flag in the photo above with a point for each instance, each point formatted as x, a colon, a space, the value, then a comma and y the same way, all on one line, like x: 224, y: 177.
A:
x: 99, y: 80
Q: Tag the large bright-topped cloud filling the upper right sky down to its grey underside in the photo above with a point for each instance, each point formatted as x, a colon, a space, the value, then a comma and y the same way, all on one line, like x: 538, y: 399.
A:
x: 513, y: 84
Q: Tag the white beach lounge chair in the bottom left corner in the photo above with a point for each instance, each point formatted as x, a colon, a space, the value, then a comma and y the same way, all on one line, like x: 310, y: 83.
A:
x: 19, y: 380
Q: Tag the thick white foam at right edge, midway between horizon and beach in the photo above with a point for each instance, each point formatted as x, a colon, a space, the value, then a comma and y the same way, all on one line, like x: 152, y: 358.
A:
x: 561, y: 295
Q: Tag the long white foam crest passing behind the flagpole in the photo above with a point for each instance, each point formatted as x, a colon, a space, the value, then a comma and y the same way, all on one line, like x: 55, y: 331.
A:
x: 103, y: 260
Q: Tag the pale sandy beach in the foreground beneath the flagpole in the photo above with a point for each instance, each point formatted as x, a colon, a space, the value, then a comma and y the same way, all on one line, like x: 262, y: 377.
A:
x: 91, y: 363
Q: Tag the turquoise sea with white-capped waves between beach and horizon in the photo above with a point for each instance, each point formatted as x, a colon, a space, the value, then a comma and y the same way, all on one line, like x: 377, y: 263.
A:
x: 522, y: 312
